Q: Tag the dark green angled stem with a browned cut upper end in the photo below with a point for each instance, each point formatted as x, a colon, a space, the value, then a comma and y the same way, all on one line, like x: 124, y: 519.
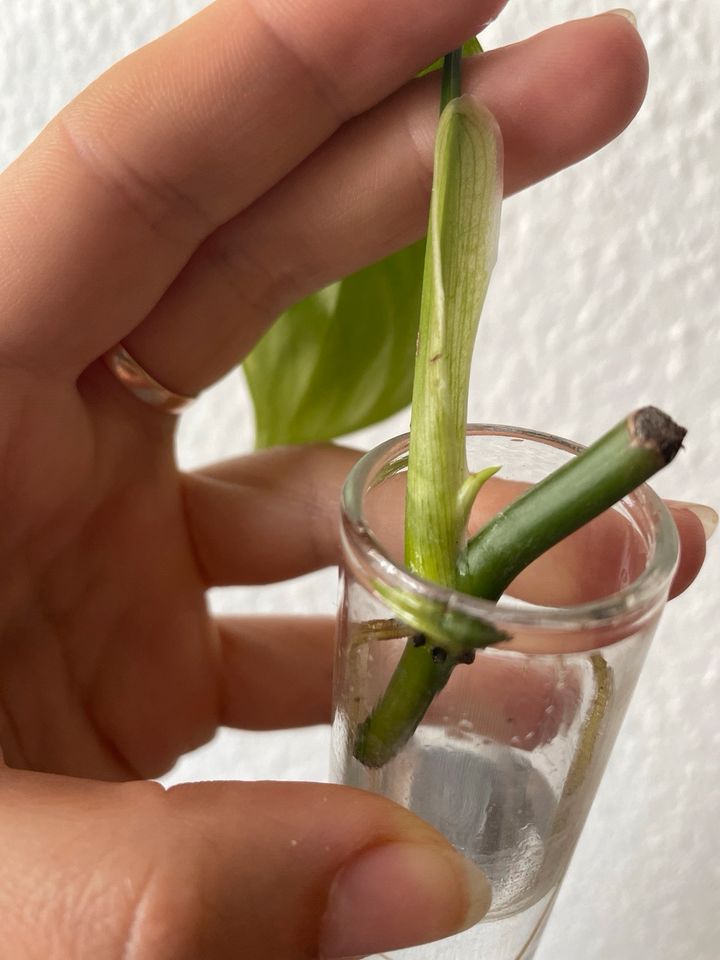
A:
x: 580, y: 490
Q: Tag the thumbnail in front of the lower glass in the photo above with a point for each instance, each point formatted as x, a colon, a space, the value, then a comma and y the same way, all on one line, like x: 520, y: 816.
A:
x: 399, y: 895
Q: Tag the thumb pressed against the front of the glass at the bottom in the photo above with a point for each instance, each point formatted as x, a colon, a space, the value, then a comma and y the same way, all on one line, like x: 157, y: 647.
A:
x: 222, y: 870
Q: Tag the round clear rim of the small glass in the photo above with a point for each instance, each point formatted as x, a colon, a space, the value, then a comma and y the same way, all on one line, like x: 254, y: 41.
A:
x: 637, y: 599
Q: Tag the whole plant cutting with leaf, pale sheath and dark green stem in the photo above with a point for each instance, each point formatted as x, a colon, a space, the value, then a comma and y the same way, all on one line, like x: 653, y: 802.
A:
x: 458, y: 257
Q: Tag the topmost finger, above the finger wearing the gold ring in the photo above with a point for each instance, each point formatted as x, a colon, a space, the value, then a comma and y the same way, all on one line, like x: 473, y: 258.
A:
x: 177, y: 139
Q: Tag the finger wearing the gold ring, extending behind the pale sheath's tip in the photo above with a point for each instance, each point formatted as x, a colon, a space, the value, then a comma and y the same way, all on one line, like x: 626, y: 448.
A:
x: 558, y: 97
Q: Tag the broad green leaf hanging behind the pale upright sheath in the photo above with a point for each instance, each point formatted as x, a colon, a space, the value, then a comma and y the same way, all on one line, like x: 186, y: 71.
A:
x: 343, y: 358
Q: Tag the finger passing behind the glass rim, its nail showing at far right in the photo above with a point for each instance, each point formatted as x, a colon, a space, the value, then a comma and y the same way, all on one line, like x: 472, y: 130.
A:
x: 274, y: 515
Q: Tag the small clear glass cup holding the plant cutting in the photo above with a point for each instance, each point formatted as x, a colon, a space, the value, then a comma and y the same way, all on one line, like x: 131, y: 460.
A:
x: 508, y: 758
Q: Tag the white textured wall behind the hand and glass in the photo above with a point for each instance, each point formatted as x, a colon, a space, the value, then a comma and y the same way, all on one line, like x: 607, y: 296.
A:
x: 605, y: 298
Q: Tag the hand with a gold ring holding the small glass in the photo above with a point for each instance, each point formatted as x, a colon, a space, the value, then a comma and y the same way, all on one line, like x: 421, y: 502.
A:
x: 184, y: 199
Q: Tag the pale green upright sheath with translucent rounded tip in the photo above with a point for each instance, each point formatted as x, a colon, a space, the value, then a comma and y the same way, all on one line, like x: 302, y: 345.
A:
x: 461, y: 253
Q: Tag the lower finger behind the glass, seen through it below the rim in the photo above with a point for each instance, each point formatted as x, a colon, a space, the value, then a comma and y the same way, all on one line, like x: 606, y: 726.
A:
x: 277, y: 674
